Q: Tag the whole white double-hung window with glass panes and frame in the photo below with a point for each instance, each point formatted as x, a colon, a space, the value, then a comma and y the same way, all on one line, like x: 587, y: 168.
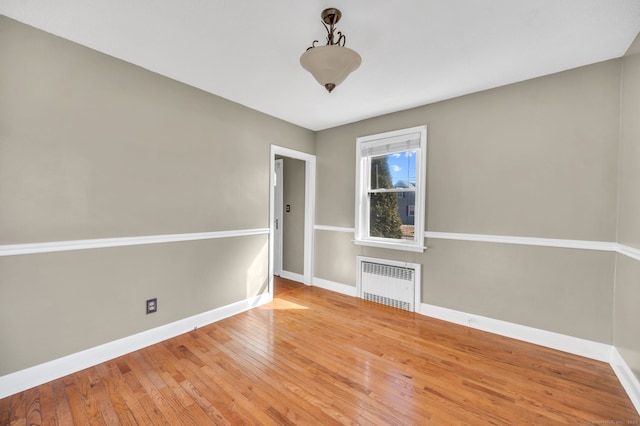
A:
x: 390, y: 189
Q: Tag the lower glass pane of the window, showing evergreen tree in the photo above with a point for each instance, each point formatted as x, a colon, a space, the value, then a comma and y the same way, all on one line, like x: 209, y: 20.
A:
x: 389, y: 215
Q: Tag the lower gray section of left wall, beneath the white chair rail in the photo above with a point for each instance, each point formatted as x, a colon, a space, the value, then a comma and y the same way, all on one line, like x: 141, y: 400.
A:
x: 55, y: 304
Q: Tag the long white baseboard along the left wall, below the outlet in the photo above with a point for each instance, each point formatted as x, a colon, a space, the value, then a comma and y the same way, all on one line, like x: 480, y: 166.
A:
x: 34, y: 376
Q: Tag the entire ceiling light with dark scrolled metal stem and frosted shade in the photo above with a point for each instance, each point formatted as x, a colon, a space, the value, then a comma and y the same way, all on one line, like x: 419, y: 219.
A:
x: 332, y: 63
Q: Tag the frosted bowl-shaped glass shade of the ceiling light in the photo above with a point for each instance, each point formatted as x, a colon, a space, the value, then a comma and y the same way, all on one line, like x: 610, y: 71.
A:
x: 331, y: 64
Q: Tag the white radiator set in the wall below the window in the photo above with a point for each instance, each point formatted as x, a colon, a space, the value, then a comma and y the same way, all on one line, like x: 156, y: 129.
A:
x: 388, y: 284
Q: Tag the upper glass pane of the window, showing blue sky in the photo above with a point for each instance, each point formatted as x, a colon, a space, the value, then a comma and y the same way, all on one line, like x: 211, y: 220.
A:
x: 397, y: 170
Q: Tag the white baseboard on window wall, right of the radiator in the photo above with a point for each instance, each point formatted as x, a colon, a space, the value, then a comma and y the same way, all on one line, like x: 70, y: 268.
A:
x: 549, y: 339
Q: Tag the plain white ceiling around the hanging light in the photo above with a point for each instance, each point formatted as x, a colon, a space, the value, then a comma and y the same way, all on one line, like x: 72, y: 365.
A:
x: 413, y: 52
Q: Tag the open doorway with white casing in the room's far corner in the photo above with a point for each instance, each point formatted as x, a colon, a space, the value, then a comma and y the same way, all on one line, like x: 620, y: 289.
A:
x: 291, y: 214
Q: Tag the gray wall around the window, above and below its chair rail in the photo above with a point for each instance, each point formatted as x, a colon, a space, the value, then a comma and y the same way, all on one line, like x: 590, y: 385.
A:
x: 536, y: 159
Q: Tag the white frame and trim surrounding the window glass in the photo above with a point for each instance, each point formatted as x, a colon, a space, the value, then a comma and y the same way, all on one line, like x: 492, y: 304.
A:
x: 388, y: 143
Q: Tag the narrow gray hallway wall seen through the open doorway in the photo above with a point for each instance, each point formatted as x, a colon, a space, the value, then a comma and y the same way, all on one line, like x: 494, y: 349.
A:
x: 293, y: 221
